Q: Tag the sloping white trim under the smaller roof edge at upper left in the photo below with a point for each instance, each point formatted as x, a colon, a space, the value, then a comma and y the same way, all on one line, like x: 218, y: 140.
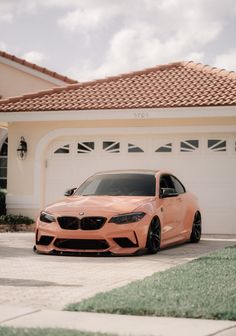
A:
x: 32, y: 72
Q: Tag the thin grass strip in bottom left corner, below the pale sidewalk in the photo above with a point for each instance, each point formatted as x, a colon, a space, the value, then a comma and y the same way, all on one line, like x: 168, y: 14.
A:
x: 7, y: 331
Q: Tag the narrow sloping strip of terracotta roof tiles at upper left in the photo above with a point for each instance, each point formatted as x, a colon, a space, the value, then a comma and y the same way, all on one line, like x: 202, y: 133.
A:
x: 37, y: 68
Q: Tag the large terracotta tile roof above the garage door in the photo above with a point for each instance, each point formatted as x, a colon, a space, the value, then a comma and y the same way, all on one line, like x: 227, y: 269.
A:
x: 182, y: 84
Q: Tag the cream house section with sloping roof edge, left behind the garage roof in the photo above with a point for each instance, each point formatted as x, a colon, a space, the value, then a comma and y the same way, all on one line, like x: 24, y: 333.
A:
x: 19, y: 77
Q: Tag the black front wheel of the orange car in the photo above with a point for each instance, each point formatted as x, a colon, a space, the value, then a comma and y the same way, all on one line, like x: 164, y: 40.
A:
x: 154, y: 236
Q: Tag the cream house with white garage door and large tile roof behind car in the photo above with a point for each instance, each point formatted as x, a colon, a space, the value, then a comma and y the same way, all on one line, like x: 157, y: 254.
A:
x: 179, y: 116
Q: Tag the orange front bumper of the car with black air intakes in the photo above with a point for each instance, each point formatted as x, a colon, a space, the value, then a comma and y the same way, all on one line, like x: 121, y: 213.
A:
x: 113, y: 238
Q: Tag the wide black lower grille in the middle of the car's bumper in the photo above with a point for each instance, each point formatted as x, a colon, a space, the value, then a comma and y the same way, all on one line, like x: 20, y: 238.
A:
x: 81, y: 244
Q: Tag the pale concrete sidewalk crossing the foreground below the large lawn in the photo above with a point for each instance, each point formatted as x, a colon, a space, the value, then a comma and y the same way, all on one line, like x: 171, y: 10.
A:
x: 114, y: 324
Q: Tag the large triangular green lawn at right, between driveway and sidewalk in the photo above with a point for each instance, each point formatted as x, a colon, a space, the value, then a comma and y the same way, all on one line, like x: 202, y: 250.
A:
x: 204, y: 288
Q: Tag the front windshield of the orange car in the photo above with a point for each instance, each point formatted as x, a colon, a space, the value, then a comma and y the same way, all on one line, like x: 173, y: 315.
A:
x: 119, y: 185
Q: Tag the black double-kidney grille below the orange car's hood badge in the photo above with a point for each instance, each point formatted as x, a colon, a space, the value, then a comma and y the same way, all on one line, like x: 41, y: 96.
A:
x: 86, y: 223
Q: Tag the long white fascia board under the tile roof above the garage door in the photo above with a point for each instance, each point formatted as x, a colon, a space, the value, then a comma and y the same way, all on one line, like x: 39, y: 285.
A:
x: 121, y: 114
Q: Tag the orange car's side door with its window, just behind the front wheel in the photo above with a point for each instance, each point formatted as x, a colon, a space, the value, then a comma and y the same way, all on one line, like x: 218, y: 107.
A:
x: 172, y: 210
